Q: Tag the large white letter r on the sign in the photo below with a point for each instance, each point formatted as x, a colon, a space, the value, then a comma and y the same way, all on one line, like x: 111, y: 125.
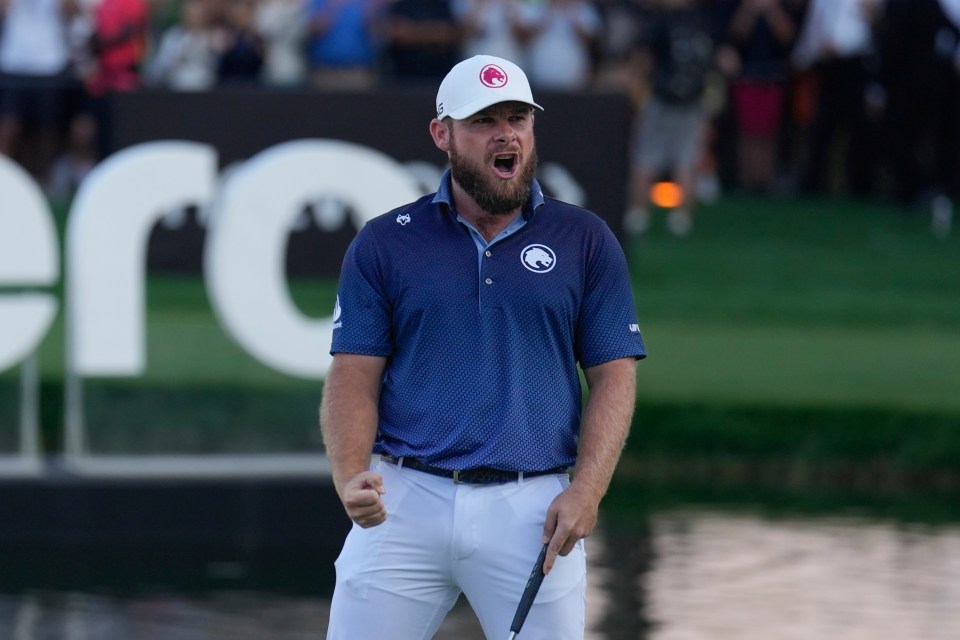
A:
x: 107, y: 236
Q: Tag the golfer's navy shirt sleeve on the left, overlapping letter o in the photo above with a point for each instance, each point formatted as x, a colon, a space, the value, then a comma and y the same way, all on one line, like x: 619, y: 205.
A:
x: 362, y: 317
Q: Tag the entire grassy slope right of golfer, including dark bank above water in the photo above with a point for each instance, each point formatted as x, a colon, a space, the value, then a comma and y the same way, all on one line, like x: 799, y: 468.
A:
x: 799, y: 343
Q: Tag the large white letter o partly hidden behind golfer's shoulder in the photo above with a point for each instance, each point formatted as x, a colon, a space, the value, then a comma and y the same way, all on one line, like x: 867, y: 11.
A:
x: 244, y: 260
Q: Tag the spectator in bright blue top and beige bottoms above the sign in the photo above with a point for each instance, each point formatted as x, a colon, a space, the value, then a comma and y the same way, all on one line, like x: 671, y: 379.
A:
x: 343, y: 45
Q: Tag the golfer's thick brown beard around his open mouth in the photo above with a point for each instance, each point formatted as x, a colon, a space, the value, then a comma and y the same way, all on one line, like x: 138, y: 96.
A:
x: 496, y: 197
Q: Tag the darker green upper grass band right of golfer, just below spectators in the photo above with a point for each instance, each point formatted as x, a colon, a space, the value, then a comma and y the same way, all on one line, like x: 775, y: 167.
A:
x: 762, y: 262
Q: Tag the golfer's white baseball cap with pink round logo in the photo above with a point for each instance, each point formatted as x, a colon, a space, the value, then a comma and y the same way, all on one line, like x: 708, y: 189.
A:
x: 478, y: 82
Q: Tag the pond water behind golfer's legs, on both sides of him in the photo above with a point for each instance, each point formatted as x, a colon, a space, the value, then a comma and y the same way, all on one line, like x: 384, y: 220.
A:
x: 680, y: 575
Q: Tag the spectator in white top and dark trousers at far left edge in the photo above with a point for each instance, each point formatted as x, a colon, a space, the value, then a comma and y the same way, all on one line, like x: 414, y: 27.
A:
x: 35, y: 73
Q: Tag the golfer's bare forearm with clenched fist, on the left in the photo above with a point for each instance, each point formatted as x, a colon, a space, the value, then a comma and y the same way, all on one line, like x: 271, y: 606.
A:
x: 348, y: 422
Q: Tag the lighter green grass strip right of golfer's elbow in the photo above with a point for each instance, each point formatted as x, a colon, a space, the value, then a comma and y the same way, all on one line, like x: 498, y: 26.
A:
x: 794, y: 366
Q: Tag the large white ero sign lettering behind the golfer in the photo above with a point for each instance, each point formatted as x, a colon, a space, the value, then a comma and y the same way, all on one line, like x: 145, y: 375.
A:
x: 251, y: 211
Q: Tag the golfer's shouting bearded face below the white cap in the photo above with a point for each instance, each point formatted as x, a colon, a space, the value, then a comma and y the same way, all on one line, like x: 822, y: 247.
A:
x: 493, y: 156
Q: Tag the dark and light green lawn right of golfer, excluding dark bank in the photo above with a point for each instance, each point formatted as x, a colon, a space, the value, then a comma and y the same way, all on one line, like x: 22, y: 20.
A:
x: 801, y: 304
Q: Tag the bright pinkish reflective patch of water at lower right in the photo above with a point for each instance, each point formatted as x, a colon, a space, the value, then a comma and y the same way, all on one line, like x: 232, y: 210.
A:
x: 722, y: 576
